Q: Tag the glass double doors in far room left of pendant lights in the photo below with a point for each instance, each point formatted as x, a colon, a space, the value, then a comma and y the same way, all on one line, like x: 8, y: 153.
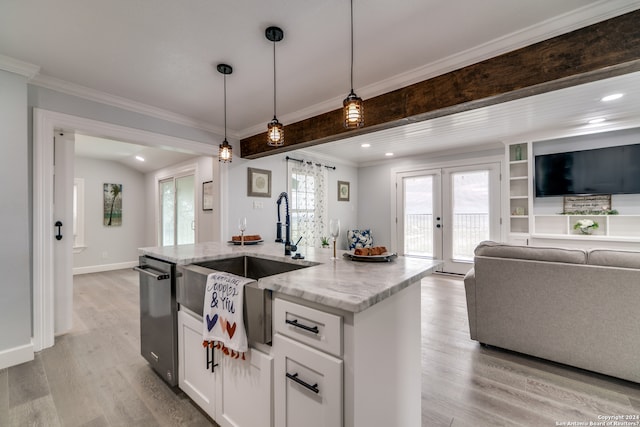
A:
x: 177, y: 210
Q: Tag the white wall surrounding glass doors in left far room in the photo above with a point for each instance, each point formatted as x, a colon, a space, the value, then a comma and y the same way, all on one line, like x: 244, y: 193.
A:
x: 206, y: 221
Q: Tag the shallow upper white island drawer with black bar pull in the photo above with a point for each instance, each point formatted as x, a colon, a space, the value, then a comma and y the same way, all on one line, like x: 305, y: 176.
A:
x: 310, y: 326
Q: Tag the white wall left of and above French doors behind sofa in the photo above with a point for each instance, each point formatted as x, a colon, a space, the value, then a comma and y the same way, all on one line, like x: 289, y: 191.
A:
x: 375, y: 199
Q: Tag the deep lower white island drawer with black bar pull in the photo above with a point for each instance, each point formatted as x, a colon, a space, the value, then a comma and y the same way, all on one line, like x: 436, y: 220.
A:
x: 307, y: 386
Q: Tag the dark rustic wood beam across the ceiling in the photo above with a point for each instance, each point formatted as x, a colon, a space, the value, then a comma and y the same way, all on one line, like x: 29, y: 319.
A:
x: 601, y: 50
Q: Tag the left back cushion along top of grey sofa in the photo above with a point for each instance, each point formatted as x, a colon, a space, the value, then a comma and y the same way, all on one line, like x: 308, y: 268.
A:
x: 533, y: 253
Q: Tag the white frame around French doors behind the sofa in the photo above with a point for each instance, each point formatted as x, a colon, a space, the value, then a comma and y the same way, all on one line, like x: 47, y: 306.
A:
x: 468, y: 162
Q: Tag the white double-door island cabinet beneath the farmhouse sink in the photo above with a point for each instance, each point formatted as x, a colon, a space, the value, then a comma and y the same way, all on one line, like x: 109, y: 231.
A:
x: 236, y: 392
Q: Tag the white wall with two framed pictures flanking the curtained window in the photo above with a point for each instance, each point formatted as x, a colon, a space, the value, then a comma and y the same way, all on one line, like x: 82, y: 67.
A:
x: 262, y: 220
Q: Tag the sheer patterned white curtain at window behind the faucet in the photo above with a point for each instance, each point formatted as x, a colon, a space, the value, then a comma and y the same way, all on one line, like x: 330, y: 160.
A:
x: 308, y: 198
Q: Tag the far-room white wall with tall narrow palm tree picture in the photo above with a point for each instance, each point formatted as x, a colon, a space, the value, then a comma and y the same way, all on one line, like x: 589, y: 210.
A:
x: 106, y: 246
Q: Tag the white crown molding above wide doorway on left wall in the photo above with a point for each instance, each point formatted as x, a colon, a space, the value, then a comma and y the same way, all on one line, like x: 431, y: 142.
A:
x: 90, y: 94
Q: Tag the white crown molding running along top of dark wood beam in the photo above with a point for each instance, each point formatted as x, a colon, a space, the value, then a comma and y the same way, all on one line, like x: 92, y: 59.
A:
x: 558, y: 25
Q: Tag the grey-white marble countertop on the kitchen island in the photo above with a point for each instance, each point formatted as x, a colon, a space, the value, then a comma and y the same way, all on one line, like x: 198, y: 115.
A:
x: 349, y: 285
